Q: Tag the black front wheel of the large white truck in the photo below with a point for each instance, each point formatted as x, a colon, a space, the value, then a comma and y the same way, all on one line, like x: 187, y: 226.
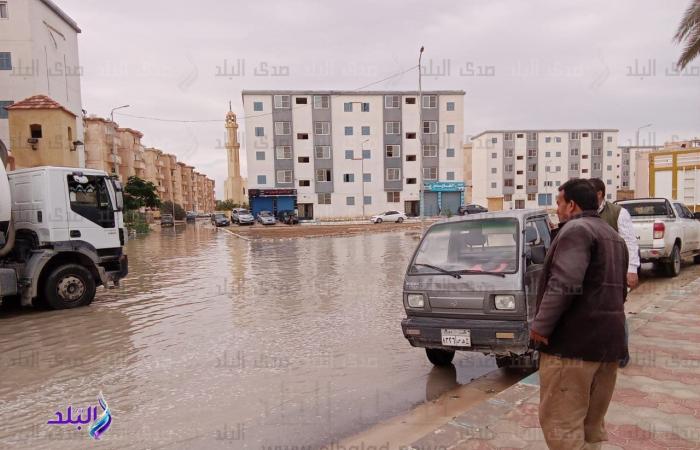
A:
x: 69, y: 286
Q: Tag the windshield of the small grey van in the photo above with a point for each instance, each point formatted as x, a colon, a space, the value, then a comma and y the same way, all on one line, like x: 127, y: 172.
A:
x: 470, y: 246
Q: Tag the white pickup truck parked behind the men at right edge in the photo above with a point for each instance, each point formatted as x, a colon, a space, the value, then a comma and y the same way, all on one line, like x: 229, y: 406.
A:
x: 666, y: 231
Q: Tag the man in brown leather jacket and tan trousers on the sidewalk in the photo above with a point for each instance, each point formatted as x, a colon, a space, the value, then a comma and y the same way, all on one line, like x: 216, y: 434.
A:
x: 579, y: 325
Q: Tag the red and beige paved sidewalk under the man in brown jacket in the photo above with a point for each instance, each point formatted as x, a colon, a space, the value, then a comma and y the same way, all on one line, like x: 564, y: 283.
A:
x: 656, y: 403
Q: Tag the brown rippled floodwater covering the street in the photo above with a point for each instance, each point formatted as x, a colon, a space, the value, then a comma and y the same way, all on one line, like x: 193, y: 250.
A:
x: 217, y: 342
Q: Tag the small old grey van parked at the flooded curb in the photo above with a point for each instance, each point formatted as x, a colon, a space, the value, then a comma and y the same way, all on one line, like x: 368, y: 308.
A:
x: 471, y: 286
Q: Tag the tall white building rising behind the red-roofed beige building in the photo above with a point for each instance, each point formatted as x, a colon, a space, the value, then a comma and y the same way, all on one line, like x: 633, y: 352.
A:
x: 38, y: 55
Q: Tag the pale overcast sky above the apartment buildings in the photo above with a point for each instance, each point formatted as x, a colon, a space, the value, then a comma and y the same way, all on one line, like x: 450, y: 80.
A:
x: 543, y: 64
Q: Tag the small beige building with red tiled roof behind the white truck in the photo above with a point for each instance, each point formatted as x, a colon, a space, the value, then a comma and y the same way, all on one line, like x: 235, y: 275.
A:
x: 42, y: 133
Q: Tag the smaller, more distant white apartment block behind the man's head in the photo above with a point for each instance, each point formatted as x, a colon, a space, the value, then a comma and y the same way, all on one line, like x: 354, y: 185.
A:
x: 524, y: 168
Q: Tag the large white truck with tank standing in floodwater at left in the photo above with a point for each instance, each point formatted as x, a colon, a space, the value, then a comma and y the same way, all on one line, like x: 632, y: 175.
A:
x: 61, y: 235
